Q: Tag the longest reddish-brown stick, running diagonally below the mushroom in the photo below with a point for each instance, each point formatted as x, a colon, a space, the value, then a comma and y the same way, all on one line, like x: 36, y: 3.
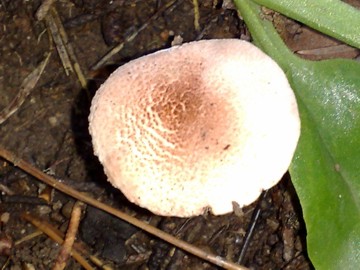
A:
x: 217, y: 260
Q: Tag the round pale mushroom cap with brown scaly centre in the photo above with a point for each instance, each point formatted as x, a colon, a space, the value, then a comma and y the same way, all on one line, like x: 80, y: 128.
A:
x: 195, y: 127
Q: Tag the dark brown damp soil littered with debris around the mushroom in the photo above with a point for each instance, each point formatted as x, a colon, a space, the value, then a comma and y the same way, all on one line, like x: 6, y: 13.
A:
x: 49, y: 130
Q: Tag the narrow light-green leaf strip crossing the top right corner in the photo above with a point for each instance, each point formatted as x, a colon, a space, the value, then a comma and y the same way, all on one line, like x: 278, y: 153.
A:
x: 332, y: 17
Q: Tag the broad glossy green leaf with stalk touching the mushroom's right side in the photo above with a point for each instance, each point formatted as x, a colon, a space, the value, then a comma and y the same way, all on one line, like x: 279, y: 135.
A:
x: 325, y: 169
